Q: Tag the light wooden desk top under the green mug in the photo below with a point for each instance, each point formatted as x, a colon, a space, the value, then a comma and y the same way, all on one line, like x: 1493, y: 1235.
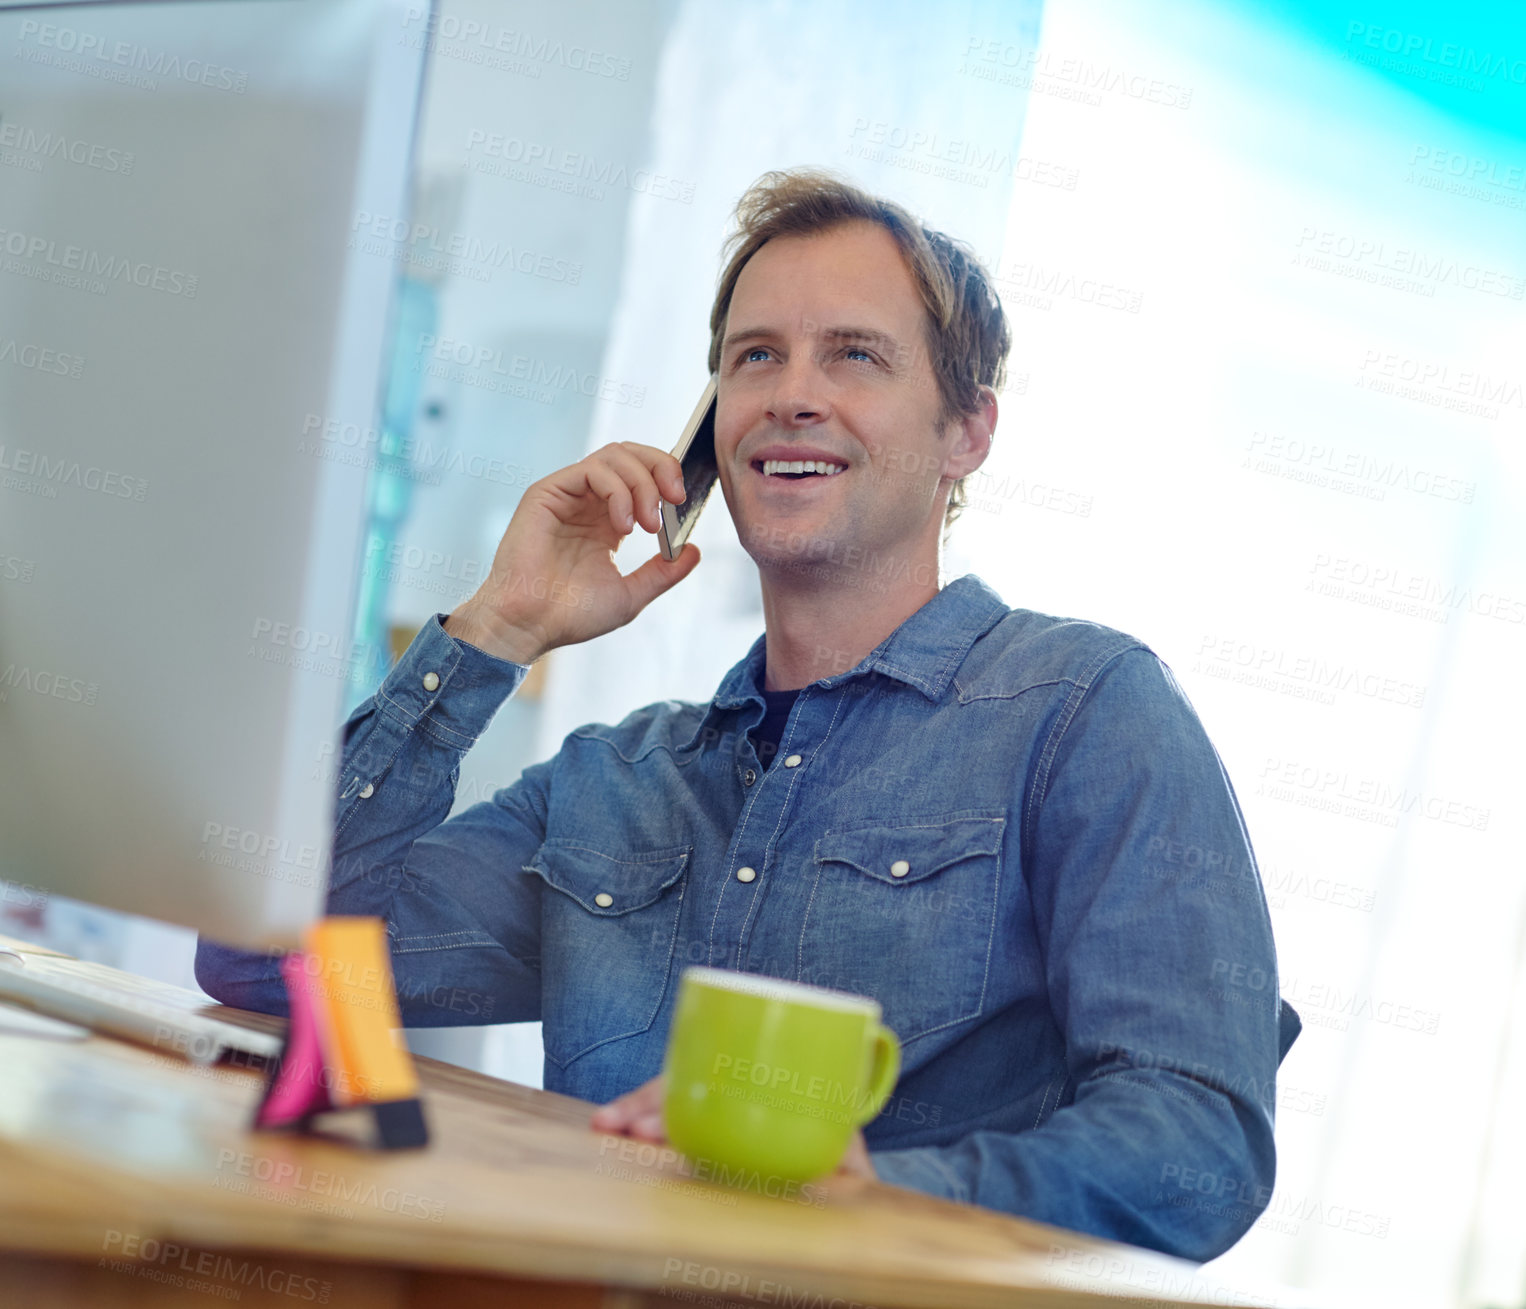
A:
x: 132, y: 1179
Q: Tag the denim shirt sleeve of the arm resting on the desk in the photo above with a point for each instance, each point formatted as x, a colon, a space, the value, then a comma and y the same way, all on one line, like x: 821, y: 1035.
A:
x: 1165, y: 988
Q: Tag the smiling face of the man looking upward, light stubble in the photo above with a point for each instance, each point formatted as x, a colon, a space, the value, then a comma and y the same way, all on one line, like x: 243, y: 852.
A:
x: 825, y: 359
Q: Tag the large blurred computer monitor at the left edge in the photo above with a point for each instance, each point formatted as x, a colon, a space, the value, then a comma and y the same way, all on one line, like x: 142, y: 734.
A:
x: 187, y: 330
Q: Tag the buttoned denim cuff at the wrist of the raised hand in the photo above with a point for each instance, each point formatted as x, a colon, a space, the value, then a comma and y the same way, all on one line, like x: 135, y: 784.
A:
x: 446, y: 687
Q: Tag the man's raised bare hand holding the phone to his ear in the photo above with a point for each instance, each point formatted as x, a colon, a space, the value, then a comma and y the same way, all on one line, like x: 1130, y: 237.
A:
x: 555, y: 581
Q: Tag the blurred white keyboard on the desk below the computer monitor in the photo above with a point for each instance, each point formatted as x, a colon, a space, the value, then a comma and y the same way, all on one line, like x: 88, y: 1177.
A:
x: 137, y: 1009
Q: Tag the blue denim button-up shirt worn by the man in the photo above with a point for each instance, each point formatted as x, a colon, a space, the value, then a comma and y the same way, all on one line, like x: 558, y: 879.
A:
x: 1008, y: 829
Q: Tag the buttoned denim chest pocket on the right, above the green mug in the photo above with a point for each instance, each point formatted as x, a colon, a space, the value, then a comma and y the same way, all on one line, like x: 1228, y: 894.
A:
x: 907, y: 913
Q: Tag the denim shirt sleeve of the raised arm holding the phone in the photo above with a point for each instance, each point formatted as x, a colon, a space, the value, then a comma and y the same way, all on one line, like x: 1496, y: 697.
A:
x: 462, y: 915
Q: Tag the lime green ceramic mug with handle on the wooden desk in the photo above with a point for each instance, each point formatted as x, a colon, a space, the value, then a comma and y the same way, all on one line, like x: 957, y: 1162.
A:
x: 771, y: 1078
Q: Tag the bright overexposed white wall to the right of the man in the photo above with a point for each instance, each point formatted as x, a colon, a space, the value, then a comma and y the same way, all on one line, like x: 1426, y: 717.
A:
x: 1301, y: 463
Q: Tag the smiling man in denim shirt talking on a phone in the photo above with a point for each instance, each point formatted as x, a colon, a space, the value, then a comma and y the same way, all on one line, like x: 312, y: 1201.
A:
x: 974, y: 814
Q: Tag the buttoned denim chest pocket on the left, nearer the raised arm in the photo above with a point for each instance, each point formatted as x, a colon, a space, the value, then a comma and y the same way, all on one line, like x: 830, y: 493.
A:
x: 607, y: 942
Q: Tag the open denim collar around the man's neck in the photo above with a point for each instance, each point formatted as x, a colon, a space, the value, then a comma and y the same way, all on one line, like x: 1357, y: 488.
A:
x: 924, y: 652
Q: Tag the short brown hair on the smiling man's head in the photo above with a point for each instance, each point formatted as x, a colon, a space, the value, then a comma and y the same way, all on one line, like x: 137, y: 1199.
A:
x: 967, y: 330
